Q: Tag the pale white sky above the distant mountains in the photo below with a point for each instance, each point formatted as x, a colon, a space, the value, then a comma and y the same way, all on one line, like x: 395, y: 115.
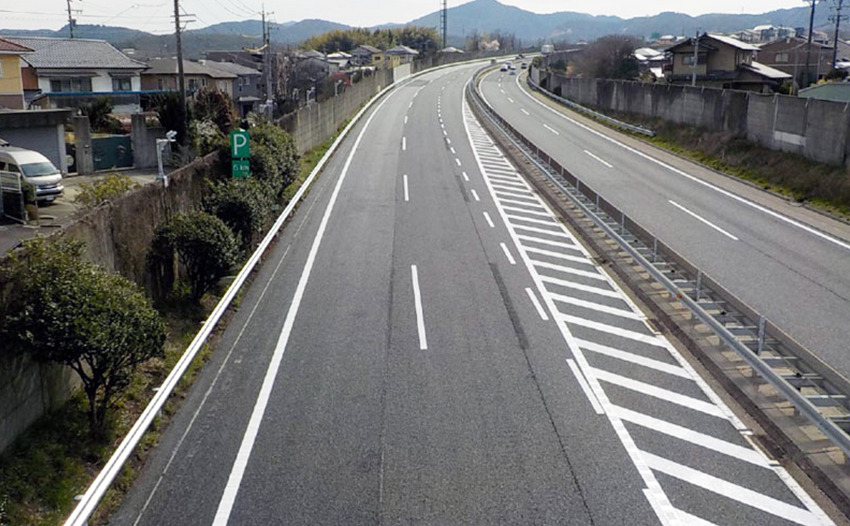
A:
x: 154, y: 15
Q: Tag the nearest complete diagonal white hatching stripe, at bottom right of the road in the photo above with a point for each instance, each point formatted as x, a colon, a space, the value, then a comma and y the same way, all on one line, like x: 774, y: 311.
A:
x: 732, y: 491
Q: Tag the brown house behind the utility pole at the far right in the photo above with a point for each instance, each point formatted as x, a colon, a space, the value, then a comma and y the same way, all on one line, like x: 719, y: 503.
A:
x: 789, y: 55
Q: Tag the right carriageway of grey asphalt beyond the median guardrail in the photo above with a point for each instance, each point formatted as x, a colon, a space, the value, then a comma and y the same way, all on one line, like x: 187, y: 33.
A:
x: 795, y: 277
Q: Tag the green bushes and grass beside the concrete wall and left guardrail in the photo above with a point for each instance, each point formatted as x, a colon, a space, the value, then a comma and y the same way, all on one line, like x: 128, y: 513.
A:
x: 58, y: 309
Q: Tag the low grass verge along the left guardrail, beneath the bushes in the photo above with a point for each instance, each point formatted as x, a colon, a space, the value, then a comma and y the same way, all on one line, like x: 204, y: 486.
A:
x: 56, y: 460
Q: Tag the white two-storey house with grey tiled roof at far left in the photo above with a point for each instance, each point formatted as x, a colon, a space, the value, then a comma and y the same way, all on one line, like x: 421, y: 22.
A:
x: 66, y: 72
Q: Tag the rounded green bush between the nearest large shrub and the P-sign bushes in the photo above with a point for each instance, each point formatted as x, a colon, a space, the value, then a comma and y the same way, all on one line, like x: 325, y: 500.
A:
x: 204, y: 245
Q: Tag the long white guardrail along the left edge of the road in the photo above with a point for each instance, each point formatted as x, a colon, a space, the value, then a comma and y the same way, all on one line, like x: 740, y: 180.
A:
x: 95, y: 492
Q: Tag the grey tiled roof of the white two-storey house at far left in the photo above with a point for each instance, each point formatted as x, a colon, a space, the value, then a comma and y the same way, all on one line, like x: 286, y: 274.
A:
x: 73, y: 53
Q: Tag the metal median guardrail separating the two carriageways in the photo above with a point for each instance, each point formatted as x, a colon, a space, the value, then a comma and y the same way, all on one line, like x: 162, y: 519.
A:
x: 761, y: 336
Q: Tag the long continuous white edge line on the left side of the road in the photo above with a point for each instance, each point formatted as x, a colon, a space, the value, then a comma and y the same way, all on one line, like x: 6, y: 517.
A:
x: 231, y: 489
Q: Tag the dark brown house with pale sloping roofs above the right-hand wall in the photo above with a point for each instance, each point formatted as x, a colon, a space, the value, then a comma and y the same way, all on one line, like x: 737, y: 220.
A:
x: 722, y: 62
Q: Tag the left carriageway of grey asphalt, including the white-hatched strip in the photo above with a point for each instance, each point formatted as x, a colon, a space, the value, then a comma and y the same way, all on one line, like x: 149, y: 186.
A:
x: 429, y: 376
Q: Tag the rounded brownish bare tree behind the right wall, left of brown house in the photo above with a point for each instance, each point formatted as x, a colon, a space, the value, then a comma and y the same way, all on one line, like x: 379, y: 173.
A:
x: 609, y: 57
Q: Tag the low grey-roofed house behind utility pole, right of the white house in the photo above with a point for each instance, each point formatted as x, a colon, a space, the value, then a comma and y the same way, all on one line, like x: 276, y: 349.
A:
x: 162, y: 75
